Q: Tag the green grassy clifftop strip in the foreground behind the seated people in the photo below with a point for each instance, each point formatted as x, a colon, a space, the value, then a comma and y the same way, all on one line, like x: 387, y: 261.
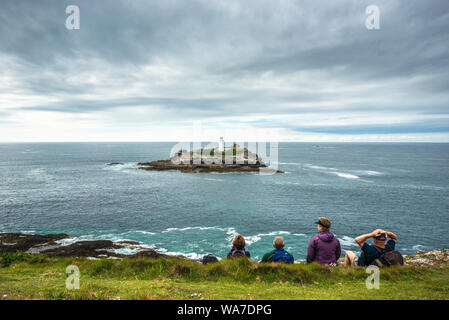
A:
x: 25, y: 276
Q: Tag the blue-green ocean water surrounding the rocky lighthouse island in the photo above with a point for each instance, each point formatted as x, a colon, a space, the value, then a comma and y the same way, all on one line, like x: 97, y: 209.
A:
x: 68, y: 187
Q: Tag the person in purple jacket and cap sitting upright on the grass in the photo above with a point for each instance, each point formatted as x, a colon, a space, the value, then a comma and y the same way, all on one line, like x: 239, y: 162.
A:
x: 324, y: 248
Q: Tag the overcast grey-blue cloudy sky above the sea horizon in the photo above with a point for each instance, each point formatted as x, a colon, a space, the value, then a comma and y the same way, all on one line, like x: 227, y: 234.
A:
x: 297, y: 70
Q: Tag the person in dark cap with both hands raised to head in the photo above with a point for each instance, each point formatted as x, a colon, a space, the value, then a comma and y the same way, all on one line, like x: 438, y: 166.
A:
x: 371, y: 252
